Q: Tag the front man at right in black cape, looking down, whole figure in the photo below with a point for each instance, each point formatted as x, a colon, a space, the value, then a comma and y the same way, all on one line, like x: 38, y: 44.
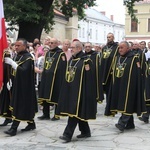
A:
x: 127, y: 92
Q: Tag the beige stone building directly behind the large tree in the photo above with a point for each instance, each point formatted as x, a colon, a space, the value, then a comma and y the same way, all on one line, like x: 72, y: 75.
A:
x: 64, y: 28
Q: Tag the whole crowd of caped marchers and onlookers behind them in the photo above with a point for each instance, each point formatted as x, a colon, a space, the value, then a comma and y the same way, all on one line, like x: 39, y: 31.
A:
x: 72, y: 77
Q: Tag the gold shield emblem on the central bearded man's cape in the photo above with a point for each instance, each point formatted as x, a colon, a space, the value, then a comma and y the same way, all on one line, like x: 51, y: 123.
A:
x: 70, y: 73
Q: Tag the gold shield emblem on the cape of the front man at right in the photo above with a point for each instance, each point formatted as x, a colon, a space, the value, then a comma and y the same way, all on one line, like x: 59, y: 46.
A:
x: 120, y: 70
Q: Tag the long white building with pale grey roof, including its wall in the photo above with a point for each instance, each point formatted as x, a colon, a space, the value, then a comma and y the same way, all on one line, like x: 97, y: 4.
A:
x: 96, y: 26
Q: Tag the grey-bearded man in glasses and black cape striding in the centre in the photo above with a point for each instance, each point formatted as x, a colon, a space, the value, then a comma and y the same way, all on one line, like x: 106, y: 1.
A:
x: 78, y: 94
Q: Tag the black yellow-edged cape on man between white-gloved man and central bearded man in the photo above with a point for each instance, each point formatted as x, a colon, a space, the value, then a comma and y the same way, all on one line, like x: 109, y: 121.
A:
x: 52, y: 76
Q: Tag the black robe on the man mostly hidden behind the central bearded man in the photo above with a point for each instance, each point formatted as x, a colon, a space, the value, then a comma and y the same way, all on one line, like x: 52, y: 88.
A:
x: 94, y: 56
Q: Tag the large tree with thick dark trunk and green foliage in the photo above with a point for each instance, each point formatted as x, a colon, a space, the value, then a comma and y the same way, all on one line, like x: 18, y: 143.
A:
x: 32, y: 16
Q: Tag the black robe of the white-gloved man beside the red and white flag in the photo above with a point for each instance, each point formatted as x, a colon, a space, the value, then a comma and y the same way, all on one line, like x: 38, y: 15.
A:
x: 24, y: 102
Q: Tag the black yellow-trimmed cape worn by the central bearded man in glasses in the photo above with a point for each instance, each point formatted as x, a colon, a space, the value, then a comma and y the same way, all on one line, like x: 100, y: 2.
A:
x: 78, y: 93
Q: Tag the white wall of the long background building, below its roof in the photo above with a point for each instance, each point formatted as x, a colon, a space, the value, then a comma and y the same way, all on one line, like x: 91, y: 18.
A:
x: 95, y: 31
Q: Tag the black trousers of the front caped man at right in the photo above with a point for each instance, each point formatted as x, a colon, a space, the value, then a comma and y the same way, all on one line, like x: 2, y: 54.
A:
x: 126, y: 120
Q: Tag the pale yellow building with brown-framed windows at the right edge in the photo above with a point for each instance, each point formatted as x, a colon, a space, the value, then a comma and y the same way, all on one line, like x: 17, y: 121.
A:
x: 138, y: 31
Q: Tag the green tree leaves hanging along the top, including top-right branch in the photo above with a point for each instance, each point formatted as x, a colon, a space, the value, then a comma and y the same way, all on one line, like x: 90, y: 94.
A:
x: 33, y: 11
